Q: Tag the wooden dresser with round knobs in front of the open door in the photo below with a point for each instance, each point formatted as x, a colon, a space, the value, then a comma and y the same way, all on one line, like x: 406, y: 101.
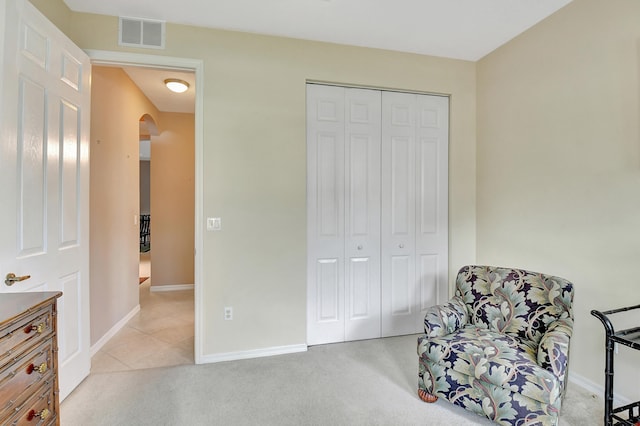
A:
x: 28, y: 359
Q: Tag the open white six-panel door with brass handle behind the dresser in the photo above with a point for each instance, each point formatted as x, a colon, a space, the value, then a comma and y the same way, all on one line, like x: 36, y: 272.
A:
x: 44, y: 158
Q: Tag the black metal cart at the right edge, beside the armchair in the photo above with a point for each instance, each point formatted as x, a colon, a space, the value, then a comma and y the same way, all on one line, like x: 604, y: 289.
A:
x: 628, y: 414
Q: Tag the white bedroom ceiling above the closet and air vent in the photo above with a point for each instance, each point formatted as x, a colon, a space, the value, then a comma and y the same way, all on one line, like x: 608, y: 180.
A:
x: 460, y: 29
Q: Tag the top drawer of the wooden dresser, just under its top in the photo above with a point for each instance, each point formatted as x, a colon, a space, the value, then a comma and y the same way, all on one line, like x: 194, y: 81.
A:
x: 25, y: 331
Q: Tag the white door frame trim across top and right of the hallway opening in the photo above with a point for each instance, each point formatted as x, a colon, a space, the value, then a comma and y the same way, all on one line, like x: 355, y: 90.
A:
x: 104, y: 57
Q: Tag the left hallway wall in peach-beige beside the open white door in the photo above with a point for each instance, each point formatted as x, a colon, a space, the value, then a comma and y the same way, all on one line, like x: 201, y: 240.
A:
x: 116, y: 107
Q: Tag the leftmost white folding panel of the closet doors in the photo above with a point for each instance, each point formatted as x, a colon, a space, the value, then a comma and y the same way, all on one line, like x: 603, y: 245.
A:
x: 325, y: 214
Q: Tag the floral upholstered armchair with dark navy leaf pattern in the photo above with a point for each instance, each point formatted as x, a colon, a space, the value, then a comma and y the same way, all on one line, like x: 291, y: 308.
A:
x: 500, y: 347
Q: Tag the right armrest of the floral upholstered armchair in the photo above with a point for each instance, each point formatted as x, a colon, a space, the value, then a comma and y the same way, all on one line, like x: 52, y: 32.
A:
x: 553, y: 350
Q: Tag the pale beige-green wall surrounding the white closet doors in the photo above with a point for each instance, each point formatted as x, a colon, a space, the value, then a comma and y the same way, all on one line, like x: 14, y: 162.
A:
x: 254, y: 161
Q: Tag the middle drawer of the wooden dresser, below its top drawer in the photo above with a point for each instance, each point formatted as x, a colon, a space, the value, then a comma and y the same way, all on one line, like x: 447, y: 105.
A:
x: 21, y: 378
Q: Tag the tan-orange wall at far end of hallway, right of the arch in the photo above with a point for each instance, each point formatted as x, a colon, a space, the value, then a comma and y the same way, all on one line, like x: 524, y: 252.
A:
x: 172, y: 200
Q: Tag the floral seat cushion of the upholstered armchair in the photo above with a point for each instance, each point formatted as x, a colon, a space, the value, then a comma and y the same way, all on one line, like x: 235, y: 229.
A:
x: 500, y: 359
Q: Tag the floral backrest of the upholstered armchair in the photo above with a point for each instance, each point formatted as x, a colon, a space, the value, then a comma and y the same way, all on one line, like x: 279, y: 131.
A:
x: 514, y: 301
